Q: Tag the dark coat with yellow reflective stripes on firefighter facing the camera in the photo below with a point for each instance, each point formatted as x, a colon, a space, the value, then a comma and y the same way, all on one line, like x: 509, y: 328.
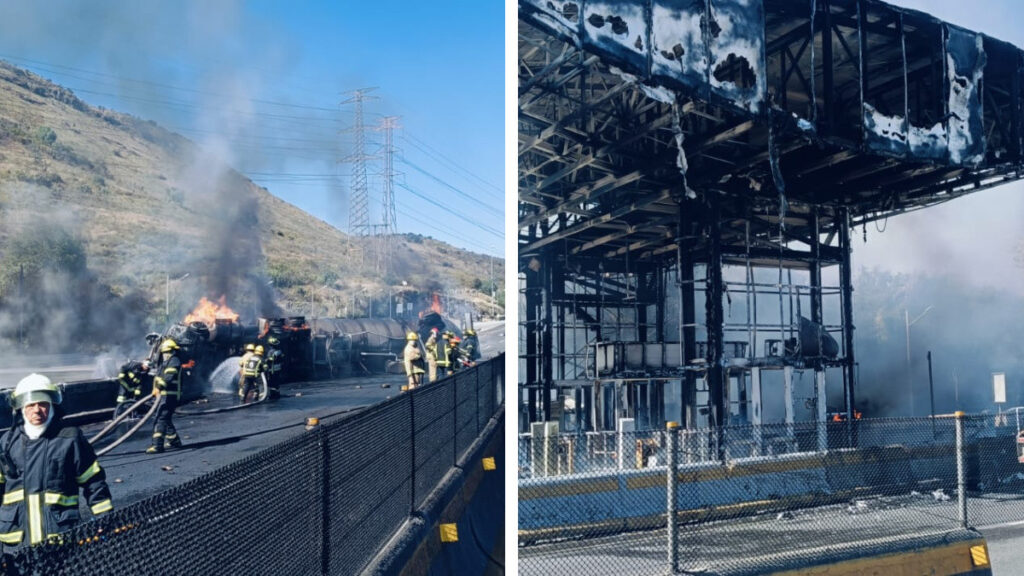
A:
x: 41, y: 480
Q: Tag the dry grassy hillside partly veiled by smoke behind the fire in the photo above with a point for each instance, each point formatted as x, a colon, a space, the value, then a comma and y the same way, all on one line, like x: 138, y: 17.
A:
x: 103, y: 216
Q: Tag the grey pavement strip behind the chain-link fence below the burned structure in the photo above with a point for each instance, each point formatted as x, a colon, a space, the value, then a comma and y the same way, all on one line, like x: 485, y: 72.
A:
x: 773, y: 540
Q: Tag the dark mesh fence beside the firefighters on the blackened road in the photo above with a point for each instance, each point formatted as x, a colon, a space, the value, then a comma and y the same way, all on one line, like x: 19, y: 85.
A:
x: 323, y: 503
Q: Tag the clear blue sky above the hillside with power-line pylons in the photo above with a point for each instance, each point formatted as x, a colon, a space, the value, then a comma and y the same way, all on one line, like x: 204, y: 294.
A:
x: 263, y: 84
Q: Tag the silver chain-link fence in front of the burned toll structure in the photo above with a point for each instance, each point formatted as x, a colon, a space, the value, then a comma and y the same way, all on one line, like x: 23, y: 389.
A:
x: 754, y: 500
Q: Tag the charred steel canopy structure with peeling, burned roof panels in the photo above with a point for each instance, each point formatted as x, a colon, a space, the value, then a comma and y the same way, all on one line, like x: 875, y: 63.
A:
x: 691, y: 176
